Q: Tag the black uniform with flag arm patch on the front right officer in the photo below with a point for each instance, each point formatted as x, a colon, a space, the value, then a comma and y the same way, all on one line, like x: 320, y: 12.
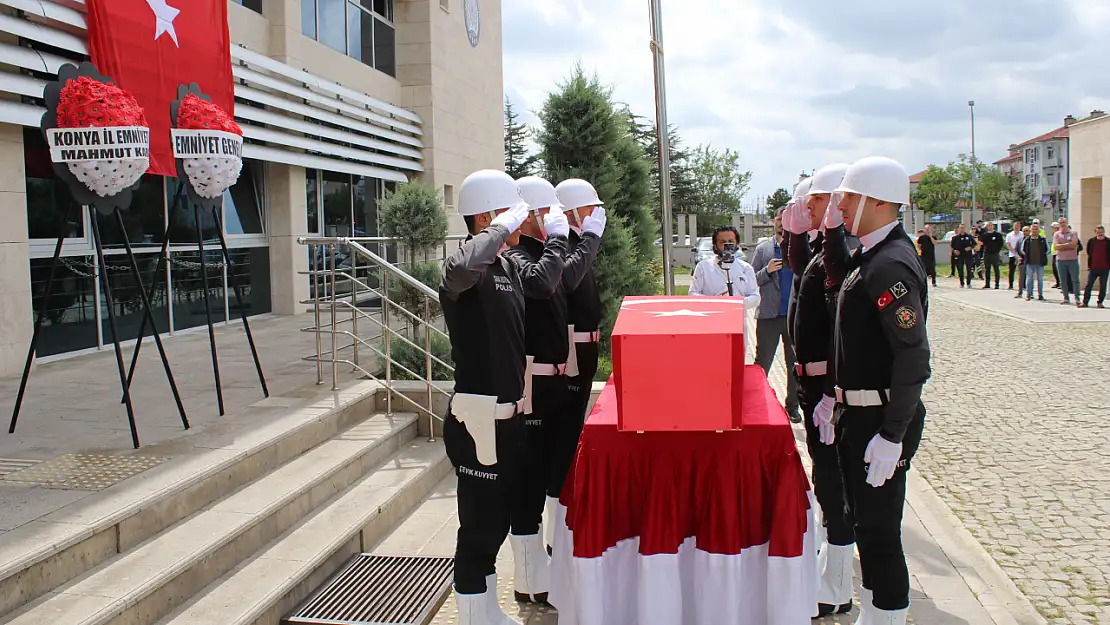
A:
x: 882, y: 345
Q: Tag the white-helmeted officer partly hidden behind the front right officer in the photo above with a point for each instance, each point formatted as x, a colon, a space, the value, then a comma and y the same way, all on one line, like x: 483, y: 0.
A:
x: 813, y: 316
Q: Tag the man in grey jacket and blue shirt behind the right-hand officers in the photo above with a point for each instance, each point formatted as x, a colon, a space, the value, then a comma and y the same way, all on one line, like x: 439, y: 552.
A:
x: 775, y: 284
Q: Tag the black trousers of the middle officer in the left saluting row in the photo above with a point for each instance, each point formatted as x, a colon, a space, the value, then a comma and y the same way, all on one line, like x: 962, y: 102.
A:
x: 541, y: 428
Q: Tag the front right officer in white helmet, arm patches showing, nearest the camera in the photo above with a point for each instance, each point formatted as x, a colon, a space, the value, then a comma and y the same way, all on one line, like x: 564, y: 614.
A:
x: 882, y: 362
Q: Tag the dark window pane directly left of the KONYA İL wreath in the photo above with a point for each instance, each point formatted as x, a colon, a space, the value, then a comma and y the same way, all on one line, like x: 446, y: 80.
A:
x: 47, y: 196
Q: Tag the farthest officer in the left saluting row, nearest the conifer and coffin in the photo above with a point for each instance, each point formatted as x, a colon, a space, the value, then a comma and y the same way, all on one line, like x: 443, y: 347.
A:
x: 580, y: 201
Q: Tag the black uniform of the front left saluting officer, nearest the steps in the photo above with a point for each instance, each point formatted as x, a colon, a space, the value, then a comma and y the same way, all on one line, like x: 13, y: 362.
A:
x: 483, y: 306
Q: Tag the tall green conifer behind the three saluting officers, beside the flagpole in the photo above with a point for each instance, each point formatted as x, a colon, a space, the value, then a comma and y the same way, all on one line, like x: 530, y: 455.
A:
x: 586, y: 136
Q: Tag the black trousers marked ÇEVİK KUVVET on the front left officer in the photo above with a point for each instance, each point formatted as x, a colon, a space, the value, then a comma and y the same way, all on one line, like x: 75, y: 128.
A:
x: 486, y: 497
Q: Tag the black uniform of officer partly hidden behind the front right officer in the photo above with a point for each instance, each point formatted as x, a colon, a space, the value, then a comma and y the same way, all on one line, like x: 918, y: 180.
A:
x: 813, y: 311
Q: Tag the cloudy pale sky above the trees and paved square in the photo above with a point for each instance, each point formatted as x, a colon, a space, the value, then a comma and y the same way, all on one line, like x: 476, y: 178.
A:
x: 795, y: 85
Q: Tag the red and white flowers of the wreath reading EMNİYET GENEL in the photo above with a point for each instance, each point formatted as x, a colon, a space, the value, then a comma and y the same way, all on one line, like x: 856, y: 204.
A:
x: 210, y: 175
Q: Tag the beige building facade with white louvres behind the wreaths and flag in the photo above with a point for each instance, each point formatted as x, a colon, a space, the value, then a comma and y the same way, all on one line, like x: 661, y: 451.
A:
x: 339, y: 100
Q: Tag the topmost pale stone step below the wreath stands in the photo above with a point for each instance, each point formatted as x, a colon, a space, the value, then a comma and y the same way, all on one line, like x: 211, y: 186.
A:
x: 41, y: 557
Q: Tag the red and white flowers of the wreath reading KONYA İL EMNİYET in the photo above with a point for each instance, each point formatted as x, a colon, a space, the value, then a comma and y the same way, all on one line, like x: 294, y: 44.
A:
x: 86, y: 103
